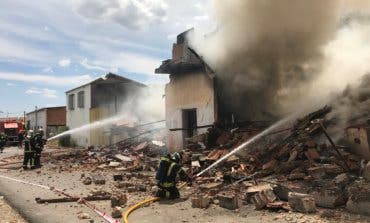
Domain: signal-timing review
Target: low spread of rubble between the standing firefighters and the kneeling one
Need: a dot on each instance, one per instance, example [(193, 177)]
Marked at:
[(127, 155)]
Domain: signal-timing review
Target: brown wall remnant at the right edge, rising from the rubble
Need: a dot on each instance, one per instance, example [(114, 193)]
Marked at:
[(359, 137)]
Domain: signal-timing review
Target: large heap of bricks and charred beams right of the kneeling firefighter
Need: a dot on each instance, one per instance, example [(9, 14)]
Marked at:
[(301, 172)]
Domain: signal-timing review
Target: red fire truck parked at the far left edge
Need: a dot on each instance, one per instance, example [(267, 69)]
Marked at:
[(11, 127)]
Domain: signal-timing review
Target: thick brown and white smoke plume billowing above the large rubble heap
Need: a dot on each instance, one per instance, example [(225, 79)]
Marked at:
[(282, 56)]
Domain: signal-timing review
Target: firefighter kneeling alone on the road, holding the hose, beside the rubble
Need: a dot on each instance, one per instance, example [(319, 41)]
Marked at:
[(169, 168)]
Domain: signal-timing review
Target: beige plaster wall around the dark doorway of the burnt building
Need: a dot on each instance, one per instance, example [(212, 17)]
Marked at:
[(187, 91)]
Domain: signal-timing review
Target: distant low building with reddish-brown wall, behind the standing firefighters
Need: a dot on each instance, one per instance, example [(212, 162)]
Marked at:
[(50, 119)]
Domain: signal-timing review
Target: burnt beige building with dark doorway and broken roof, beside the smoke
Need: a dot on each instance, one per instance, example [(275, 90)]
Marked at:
[(190, 95)]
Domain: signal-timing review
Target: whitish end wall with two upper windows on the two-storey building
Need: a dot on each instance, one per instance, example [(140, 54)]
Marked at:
[(80, 116)]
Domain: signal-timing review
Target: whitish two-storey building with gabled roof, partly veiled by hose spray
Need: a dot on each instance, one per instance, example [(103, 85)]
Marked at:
[(97, 100)]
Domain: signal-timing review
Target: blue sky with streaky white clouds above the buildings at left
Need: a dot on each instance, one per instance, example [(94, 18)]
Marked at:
[(49, 46)]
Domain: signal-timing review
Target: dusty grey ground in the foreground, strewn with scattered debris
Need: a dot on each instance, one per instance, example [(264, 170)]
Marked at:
[(22, 198)]
